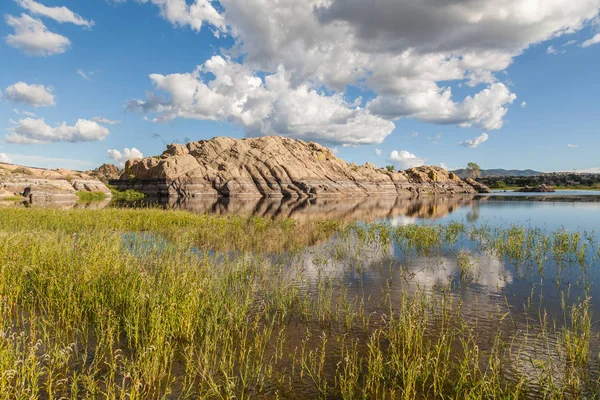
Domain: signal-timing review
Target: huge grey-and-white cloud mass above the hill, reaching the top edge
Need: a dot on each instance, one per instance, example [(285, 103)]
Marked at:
[(404, 51)]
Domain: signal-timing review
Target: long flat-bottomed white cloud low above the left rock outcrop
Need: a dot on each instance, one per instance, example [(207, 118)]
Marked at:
[(36, 131)]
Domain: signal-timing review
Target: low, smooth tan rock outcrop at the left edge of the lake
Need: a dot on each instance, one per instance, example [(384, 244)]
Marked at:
[(45, 185)]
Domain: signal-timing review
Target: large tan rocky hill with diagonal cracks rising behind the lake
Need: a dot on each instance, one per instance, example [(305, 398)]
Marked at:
[(274, 167)]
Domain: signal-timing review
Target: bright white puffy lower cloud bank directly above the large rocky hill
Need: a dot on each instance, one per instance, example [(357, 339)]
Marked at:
[(263, 107)]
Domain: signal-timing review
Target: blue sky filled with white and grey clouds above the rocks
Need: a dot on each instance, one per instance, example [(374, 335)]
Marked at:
[(509, 84)]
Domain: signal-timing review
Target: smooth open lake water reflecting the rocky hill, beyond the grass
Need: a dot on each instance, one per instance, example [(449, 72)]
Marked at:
[(571, 210)]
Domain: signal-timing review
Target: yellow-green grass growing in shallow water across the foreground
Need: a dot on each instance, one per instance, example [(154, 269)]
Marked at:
[(162, 304)]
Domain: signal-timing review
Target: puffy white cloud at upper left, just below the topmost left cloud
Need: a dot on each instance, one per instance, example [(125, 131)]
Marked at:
[(32, 37)]
